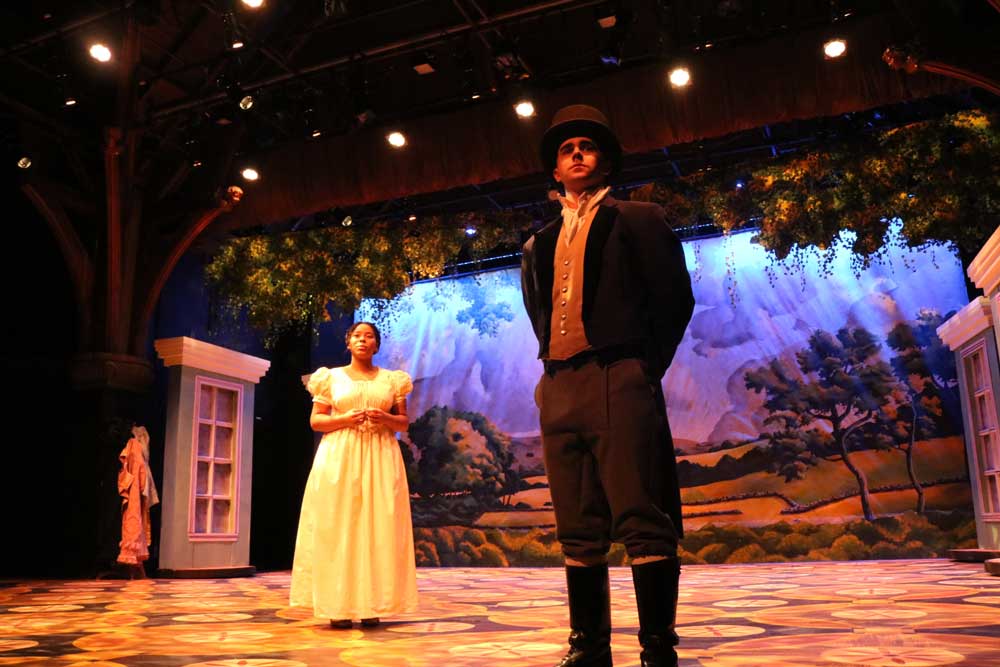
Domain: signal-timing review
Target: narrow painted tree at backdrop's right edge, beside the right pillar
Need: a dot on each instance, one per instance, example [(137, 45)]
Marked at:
[(928, 404)]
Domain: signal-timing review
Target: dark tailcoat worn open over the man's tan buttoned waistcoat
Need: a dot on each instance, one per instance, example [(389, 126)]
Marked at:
[(636, 288)]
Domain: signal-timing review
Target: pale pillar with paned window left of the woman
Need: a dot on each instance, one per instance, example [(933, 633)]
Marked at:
[(208, 458)]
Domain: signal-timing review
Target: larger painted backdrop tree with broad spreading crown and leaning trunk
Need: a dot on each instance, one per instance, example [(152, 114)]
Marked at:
[(841, 386)]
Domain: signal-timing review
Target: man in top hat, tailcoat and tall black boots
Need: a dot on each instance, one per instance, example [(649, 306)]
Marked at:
[(609, 297)]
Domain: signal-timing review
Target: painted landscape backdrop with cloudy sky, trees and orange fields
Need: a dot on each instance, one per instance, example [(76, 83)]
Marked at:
[(815, 412)]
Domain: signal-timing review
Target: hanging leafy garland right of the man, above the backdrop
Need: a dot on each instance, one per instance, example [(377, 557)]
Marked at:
[(942, 178)]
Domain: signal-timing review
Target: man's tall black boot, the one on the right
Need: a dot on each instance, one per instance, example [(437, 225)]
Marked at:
[(656, 599)]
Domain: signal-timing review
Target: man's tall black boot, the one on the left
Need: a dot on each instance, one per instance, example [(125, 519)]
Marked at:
[(589, 617)]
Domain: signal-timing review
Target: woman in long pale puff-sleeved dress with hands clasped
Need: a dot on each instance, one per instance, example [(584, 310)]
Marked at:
[(354, 550)]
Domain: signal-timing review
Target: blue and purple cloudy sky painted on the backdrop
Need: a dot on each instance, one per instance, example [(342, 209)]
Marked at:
[(468, 344)]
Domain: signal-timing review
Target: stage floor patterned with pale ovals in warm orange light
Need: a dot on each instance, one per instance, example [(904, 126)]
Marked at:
[(917, 613)]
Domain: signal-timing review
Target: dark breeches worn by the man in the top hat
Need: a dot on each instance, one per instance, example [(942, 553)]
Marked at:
[(606, 439)]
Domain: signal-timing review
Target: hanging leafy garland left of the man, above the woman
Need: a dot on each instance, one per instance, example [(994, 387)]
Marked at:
[(287, 280)]
